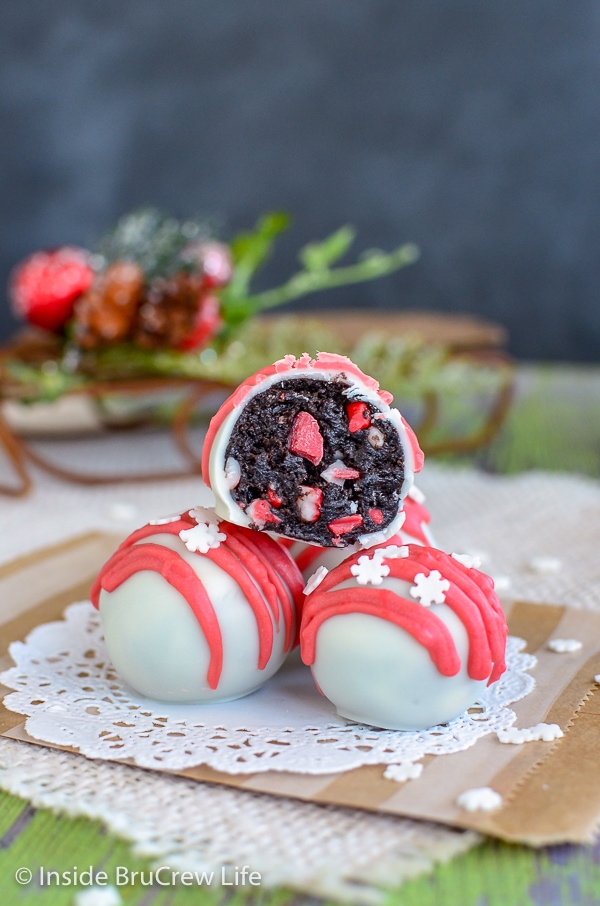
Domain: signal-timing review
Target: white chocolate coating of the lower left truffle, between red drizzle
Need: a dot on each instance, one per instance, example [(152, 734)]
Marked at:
[(157, 645)]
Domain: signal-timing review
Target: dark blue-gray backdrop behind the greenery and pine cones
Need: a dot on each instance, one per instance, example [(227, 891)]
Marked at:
[(469, 127)]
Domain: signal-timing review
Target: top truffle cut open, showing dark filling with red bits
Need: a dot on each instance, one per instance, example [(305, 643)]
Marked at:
[(310, 449)]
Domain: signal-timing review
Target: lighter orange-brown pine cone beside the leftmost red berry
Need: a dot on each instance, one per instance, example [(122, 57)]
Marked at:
[(105, 314)]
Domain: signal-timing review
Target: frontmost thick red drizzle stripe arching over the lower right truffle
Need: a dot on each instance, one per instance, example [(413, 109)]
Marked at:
[(423, 625)]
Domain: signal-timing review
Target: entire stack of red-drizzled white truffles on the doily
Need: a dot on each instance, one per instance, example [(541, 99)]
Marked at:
[(205, 606)]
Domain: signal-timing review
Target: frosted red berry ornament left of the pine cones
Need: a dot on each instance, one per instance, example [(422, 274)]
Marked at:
[(44, 288)]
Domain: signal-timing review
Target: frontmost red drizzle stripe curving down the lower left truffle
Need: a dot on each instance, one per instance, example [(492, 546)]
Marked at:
[(180, 575)]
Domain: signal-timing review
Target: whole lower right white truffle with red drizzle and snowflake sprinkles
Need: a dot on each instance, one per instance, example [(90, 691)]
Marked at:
[(403, 638)]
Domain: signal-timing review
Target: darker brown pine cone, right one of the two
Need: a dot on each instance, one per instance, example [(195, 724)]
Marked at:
[(168, 312)]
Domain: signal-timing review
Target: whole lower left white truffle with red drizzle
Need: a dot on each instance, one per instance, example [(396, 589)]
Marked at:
[(195, 609)]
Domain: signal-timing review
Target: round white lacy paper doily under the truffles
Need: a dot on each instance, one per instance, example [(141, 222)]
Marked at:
[(72, 696)]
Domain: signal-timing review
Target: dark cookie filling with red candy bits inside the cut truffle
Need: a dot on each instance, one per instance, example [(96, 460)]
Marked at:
[(283, 441)]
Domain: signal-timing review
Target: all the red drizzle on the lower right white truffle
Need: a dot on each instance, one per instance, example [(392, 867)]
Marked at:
[(470, 596)]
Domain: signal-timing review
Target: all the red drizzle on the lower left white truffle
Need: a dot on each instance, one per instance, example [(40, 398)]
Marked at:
[(264, 571)]
